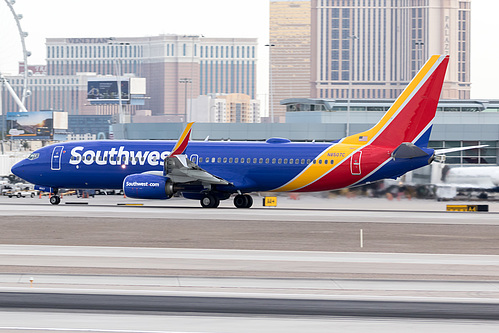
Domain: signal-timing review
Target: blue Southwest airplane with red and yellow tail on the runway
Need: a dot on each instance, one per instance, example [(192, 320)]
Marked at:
[(213, 171)]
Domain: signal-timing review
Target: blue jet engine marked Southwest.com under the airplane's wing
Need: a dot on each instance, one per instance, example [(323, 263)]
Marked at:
[(148, 186)]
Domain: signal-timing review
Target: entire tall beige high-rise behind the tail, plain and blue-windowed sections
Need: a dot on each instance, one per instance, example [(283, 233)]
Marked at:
[(364, 48)]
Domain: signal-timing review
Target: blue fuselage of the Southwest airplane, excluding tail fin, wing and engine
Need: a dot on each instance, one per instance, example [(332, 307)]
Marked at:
[(247, 166)]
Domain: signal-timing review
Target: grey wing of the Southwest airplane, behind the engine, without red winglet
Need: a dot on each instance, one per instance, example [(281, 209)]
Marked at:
[(181, 170)]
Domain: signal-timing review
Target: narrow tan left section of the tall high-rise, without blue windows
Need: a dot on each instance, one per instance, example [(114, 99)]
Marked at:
[(289, 53)]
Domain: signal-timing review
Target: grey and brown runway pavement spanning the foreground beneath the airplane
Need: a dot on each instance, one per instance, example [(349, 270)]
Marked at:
[(305, 261)]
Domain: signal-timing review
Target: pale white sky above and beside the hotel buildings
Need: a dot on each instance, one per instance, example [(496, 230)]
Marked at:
[(211, 18)]
